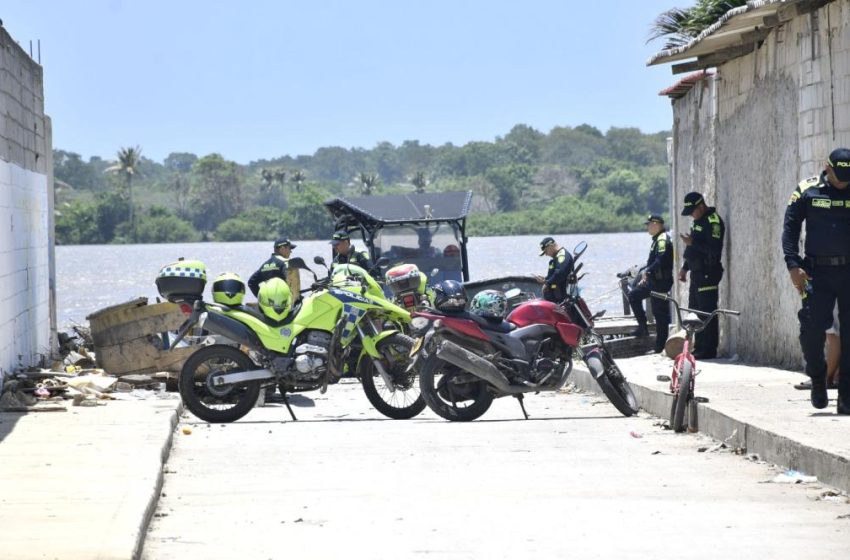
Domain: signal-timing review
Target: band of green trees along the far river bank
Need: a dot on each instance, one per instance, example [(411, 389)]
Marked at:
[(527, 182)]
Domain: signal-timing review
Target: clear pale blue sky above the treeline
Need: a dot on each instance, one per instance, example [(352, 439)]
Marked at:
[(261, 79)]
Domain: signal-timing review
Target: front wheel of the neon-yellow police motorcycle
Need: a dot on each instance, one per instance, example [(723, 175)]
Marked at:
[(400, 400)]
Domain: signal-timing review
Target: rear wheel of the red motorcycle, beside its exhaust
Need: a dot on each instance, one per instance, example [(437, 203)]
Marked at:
[(452, 409)]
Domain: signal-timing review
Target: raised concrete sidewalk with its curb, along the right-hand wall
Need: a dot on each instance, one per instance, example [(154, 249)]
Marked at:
[(756, 408)]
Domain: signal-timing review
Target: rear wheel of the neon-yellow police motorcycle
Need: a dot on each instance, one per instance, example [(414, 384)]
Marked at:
[(206, 400)]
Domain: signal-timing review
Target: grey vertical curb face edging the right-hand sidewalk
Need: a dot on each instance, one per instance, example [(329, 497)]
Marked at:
[(770, 446)]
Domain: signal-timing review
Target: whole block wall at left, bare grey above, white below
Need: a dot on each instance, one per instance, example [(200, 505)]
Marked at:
[(26, 211)]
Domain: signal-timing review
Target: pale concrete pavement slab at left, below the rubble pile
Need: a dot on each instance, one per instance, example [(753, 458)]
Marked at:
[(80, 484)]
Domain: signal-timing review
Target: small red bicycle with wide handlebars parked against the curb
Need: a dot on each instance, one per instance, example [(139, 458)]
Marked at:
[(684, 365)]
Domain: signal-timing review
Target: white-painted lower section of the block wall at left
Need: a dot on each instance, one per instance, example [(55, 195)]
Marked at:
[(24, 267)]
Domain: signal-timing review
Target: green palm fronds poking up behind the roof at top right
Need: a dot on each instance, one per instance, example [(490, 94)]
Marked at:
[(681, 25)]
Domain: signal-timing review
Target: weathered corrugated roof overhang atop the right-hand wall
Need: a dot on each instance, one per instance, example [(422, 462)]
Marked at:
[(737, 32)]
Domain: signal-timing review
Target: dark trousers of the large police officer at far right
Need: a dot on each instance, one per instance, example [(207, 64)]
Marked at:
[(828, 285)]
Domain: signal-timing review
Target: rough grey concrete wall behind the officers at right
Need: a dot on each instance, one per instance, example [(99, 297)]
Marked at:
[(778, 113)]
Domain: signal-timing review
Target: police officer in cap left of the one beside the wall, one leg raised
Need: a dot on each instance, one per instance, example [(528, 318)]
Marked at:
[(657, 276)]
